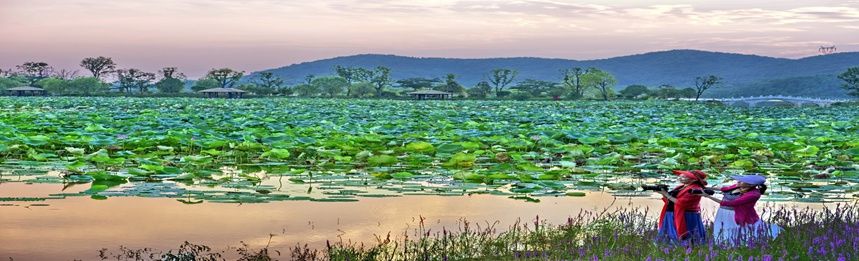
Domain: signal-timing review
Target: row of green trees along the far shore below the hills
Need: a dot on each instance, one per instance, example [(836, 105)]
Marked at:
[(353, 82)]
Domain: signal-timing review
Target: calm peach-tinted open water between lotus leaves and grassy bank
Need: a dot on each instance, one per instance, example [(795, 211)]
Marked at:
[(76, 227)]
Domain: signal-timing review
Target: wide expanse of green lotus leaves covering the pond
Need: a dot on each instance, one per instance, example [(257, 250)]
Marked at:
[(263, 150)]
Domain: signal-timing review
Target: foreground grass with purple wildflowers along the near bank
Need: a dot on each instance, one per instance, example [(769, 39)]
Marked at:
[(626, 234)]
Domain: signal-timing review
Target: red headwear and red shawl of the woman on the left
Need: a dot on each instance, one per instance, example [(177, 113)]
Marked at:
[(686, 201)]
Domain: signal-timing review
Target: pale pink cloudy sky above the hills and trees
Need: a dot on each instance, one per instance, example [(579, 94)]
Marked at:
[(197, 35)]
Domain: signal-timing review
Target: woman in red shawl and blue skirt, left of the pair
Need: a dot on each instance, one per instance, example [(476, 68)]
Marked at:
[(681, 215)]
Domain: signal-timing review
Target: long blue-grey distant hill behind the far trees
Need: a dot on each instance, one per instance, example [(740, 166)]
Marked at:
[(743, 74)]
